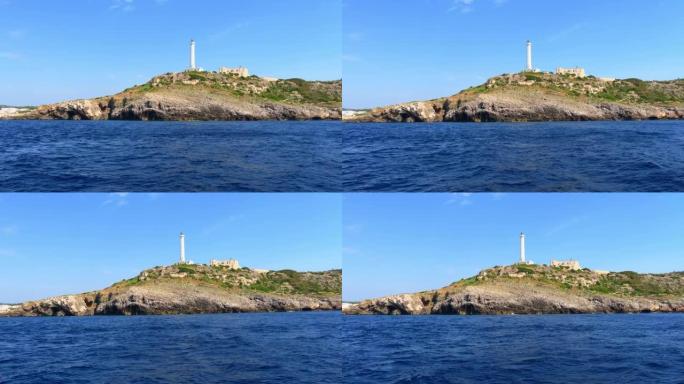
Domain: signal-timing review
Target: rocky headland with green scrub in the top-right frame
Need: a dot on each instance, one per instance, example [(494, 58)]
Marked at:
[(543, 97)]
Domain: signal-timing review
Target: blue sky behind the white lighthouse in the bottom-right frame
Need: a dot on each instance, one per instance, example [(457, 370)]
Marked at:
[(399, 243)]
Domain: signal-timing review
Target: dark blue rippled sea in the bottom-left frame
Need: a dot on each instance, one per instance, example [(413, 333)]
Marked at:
[(230, 348)]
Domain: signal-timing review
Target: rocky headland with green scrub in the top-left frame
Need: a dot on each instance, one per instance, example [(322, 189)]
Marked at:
[(204, 96)]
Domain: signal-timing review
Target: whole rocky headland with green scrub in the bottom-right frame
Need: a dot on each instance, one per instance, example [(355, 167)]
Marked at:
[(538, 289)]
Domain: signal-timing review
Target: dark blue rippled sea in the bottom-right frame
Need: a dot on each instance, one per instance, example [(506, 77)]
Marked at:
[(645, 348)]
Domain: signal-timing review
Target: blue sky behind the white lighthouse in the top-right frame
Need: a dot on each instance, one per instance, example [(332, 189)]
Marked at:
[(397, 51)]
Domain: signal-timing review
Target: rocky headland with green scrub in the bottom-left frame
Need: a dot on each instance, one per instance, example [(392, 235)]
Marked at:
[(188, 289)]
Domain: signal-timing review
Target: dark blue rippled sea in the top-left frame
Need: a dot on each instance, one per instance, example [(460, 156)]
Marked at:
[(130, 156)]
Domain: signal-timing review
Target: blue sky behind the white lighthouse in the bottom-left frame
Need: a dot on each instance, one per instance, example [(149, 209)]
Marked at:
[(53, 244)]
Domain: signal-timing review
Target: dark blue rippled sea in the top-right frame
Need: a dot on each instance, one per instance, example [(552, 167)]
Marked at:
[(562, 156)]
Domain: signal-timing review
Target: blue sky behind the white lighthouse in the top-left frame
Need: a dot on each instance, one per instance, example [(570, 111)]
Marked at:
[(56, 50)]
